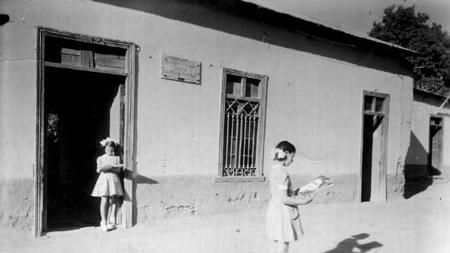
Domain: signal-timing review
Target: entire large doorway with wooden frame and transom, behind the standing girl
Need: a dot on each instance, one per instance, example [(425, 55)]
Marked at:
[(86, 91)]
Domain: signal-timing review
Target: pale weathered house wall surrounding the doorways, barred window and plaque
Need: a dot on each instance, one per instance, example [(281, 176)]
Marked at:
[(314, 100)]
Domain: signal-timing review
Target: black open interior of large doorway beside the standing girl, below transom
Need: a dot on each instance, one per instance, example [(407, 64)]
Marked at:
[(82, 108)]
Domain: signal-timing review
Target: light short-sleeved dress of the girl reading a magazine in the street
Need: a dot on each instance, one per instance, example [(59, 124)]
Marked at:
[(282, 221)]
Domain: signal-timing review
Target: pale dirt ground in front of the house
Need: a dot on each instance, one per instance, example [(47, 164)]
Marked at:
[(419, 224)]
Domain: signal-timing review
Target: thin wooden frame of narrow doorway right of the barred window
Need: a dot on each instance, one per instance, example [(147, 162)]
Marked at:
[(384, 132)]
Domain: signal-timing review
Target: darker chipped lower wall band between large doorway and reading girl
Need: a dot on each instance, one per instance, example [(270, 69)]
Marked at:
[(166, 197)]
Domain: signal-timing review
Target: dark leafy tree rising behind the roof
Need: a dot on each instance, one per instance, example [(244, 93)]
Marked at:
[(404, 27)]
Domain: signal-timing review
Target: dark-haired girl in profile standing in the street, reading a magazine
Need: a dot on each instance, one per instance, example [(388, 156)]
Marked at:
[(283, 219)]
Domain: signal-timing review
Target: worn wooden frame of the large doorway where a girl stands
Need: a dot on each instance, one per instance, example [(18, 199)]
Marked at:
[(129, 127)]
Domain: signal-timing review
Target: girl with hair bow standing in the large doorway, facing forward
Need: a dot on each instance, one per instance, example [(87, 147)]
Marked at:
[(108, 185)]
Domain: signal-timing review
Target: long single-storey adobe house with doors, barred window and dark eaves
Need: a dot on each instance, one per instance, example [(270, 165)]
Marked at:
[(197, 93)]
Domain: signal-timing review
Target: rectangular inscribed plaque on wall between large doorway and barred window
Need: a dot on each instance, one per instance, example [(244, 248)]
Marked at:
[(178, 69)]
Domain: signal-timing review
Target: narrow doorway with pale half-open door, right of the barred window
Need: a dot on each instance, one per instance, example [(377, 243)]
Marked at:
[(373, 171)]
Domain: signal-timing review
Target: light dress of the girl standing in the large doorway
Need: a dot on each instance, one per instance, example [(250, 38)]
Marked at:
[(108, 183)]
